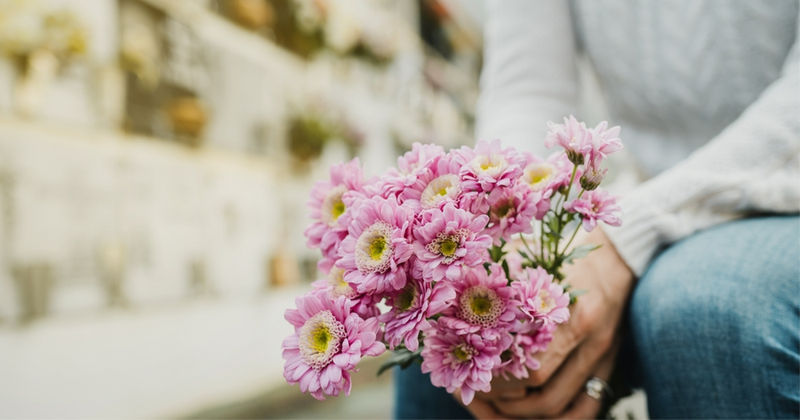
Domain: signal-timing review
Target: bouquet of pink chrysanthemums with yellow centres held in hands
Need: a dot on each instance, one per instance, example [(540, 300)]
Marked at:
[(452, 258)]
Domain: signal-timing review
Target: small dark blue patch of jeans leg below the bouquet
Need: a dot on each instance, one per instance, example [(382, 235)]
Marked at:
[(416, 398)]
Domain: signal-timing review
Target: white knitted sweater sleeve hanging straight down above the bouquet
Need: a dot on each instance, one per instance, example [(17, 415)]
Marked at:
[(529, 75)]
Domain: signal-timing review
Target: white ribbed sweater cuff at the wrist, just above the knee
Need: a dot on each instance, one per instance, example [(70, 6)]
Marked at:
[(638, 239)]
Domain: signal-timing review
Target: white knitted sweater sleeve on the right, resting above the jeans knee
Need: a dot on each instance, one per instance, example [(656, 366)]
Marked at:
[(751, 166)]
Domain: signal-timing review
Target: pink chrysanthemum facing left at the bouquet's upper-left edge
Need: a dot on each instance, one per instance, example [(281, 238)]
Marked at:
[(329, 207)]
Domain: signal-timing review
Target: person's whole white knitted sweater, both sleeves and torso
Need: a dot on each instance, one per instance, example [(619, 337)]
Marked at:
[(707, 93)]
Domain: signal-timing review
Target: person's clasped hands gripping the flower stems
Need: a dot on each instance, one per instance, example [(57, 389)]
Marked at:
[(584, 347)]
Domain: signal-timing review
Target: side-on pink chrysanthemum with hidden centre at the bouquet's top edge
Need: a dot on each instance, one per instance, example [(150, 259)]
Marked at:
[(419, 161)]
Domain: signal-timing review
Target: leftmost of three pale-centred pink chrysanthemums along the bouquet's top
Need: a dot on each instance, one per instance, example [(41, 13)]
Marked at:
[(436, 187)]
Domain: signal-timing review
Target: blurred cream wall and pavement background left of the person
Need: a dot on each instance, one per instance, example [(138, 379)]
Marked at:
[(155, 160)]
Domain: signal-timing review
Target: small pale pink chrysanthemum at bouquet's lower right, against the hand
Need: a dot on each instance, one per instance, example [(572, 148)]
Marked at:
[(539, 299)]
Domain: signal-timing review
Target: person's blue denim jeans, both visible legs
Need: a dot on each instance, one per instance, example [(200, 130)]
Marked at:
[(714, 326)]
